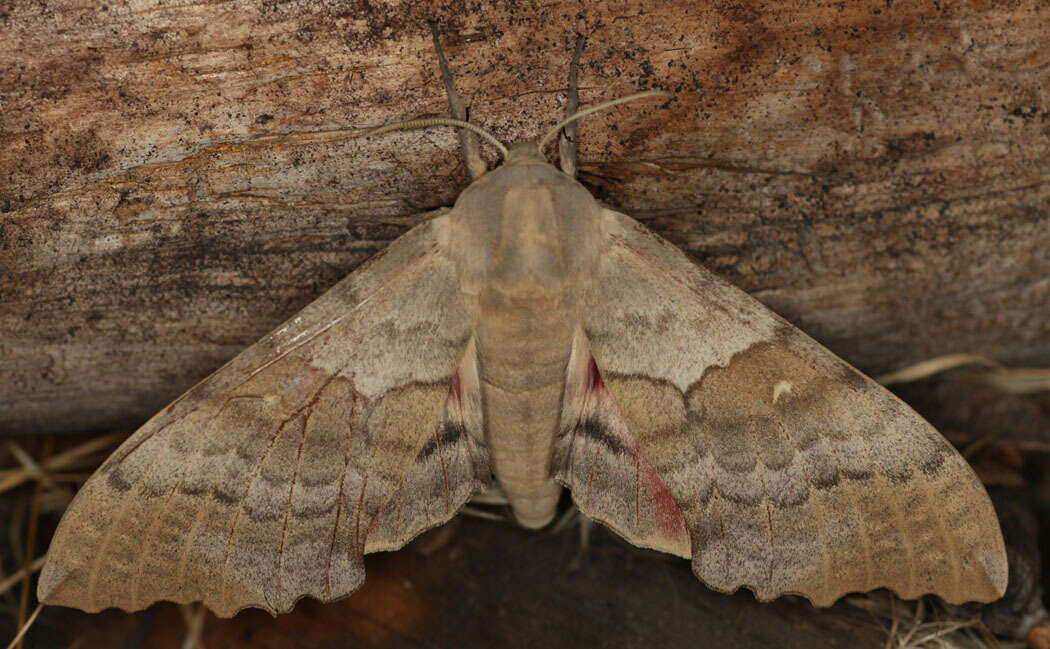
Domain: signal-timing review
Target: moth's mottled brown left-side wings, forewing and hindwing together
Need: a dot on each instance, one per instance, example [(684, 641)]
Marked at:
[(351, 429)]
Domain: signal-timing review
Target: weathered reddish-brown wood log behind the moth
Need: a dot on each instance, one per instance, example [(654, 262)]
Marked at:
[(176, 180)]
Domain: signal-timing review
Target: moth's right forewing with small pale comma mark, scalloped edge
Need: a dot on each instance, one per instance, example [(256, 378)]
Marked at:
[(793, 471)]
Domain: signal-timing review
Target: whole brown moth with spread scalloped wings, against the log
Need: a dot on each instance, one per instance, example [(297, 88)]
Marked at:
[(533, 338)]
